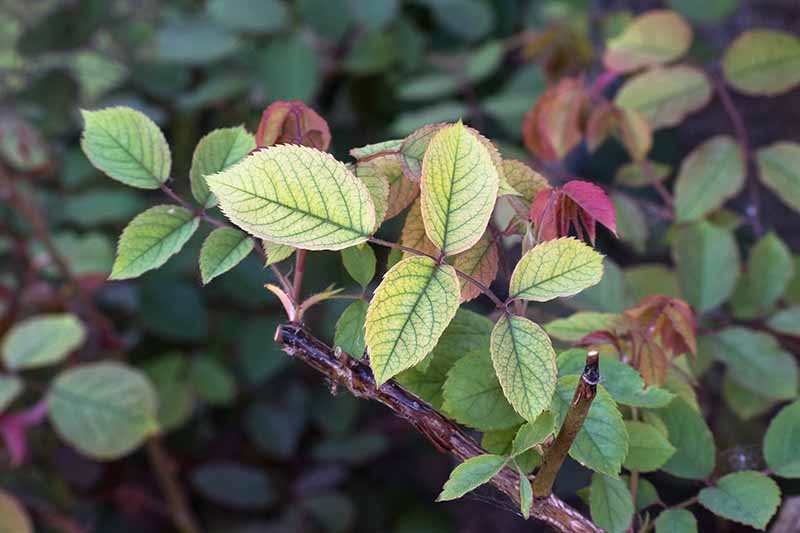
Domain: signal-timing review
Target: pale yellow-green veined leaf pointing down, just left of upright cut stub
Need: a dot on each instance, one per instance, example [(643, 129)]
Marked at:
[(525, 364)]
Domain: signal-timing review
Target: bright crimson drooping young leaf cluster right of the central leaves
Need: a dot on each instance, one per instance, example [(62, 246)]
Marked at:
[(577, 204)]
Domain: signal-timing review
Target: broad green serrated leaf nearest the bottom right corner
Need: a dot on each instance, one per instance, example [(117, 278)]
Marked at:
[(748, 497)]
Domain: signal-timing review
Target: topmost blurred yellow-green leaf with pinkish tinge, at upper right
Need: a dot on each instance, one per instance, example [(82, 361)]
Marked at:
[(653, 38)]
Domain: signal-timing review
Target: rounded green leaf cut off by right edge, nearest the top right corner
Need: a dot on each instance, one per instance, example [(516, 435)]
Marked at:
[(763, 62)]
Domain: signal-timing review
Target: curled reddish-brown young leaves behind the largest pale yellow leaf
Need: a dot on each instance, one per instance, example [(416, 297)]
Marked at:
[(292, 123)]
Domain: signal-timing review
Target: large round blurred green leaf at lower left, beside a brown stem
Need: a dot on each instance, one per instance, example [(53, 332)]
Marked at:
[(106, 410)]
